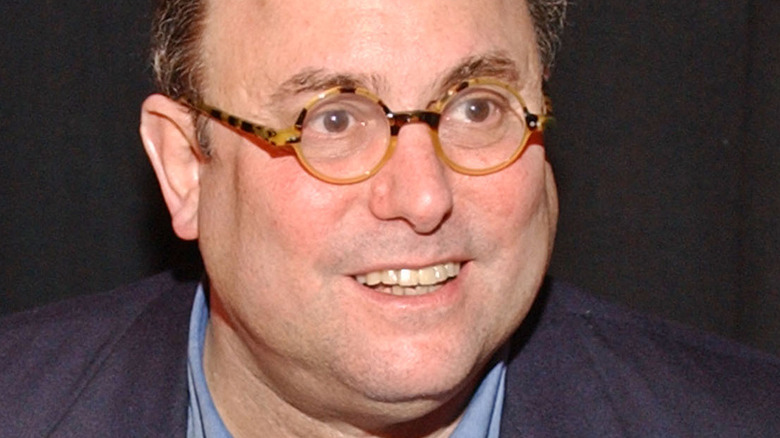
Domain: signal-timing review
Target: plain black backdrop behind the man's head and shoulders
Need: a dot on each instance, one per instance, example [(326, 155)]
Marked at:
[(667, 154)]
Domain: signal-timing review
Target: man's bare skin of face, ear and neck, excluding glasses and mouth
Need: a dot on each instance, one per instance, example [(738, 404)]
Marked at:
[(295, 346)]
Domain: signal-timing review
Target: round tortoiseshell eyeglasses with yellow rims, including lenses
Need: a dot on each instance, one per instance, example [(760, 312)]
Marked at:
[(345, 135)]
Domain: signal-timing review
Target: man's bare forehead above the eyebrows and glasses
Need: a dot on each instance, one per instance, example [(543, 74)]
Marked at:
[(252, 48)]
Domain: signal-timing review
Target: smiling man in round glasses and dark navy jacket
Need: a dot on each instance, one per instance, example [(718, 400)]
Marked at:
[(369, 190)]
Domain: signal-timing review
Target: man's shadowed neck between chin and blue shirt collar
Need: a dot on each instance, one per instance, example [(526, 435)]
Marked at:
[(250, 404)]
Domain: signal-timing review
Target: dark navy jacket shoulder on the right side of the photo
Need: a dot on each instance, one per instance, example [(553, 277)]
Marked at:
[(586, 364)]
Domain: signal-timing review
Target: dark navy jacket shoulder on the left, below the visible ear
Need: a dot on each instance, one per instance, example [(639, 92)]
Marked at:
[(83, 362)]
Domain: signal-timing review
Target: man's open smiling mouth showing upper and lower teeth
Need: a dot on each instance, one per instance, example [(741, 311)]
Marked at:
[(410, 281)]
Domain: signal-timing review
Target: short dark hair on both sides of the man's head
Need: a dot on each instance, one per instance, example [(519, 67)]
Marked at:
[(178, 25)]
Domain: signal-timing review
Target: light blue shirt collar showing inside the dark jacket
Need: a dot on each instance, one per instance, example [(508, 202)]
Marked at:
[(481, 419)]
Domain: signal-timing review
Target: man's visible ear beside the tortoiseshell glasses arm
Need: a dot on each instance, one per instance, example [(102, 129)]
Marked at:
[(168, 135)]
